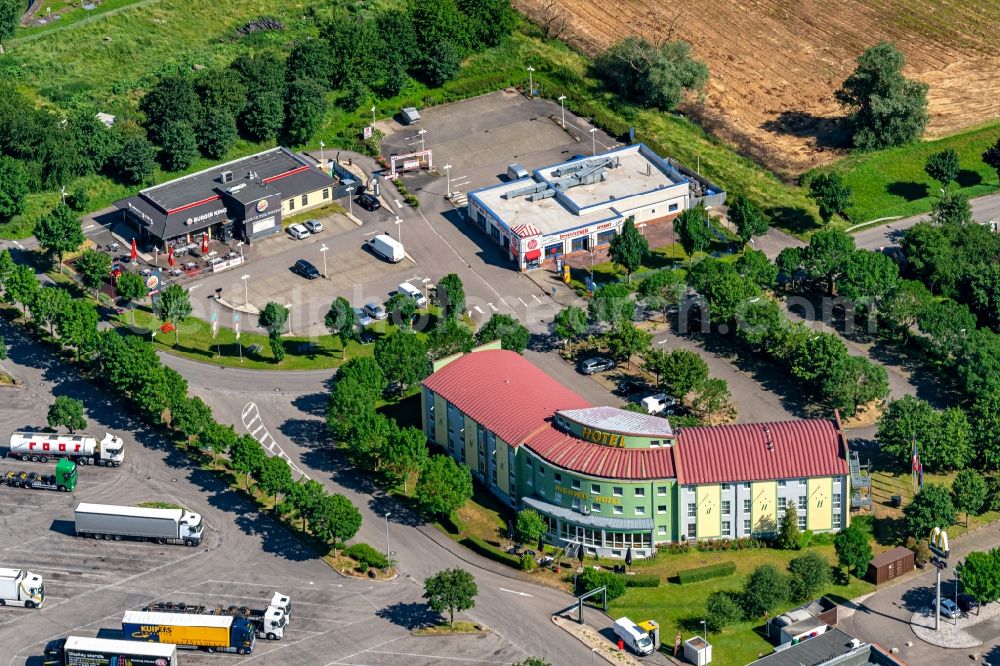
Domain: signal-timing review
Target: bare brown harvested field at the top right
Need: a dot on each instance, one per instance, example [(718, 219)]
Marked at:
[(775, 64)]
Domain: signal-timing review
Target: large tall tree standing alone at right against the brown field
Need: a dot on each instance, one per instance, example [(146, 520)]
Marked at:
[(885, 108)]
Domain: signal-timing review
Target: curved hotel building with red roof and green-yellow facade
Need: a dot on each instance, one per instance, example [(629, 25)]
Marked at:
[(609, 479)]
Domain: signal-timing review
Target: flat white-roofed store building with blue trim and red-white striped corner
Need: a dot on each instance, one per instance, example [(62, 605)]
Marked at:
[(580, 205)]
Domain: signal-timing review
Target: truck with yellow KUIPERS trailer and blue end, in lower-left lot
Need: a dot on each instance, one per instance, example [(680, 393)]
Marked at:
[(212, 633)]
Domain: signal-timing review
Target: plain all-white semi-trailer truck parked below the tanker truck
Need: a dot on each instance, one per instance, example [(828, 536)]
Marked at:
[(108, 521)]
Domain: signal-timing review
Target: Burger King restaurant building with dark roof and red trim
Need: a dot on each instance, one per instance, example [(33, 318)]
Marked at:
[(244, 199)]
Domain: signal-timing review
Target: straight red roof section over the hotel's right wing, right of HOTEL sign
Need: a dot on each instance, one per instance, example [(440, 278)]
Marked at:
[(760, 451)]
